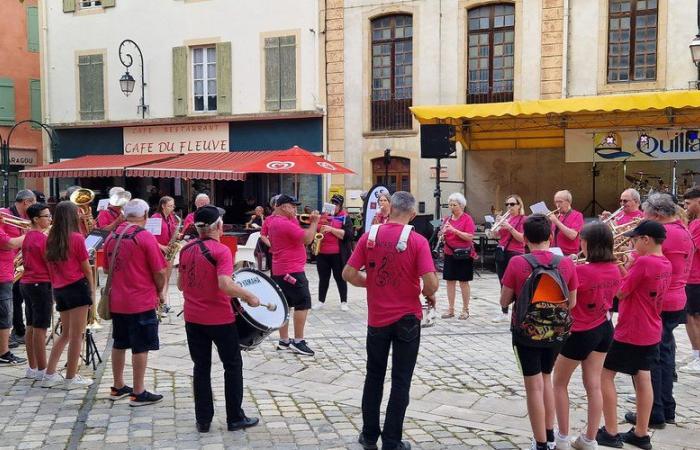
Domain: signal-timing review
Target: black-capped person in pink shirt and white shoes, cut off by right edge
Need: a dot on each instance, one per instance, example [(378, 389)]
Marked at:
[(691, 198)]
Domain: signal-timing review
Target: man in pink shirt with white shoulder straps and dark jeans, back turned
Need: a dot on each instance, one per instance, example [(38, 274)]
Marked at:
[(395, 261)]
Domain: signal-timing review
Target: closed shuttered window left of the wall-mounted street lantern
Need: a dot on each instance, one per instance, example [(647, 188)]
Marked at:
[(91, 75)]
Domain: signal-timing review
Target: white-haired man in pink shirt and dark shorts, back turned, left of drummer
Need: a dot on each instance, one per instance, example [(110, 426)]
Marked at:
[(138, 278)]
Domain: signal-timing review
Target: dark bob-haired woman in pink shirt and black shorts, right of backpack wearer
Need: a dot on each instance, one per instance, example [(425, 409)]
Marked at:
[(591, 332)]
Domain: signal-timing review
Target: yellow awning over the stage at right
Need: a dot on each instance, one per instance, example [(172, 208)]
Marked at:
[(532, 124)]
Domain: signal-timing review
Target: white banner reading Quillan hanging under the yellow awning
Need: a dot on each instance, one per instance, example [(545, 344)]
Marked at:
[(652, 145)]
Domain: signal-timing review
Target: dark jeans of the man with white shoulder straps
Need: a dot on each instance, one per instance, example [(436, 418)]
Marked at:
[(404, 337)]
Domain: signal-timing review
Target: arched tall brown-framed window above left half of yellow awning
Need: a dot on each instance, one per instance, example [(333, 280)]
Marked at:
[(490, 57)]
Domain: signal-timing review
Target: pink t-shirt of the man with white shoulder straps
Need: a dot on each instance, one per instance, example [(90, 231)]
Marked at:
[(393, 277)]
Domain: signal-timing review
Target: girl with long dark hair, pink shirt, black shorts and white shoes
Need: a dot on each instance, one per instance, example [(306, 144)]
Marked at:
[(72, 281)]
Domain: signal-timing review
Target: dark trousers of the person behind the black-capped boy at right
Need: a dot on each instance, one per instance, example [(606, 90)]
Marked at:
[(662, 374)]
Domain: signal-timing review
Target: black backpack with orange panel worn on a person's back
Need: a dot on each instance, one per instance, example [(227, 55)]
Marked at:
[(541, 316)]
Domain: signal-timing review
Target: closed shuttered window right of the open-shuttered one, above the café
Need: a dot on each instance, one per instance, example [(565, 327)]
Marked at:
[(280, 73)]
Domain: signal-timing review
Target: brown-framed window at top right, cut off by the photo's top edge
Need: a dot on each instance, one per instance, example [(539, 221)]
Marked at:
[(632, 28)]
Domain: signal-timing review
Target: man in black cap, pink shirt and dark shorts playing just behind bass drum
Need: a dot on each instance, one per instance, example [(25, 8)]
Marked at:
[(288, 246)]
